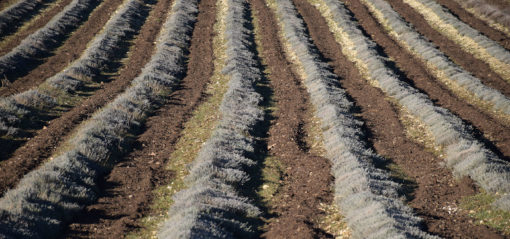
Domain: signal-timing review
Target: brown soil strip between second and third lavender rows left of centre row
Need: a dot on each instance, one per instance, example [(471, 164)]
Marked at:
[(68, 52)]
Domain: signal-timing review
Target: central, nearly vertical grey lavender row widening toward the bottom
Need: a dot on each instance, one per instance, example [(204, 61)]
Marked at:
[(213, 206)]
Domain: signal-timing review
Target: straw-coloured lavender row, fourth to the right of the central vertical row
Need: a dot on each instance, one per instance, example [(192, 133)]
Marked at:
[(469, 39)]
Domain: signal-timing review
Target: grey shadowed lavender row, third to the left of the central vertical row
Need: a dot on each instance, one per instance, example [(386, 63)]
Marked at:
[(43, 41)]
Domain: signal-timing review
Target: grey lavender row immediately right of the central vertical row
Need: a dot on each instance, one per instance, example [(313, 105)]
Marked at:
[(366, 195)]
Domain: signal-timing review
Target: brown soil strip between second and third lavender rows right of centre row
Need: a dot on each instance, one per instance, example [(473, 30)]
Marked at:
[(496, 134)]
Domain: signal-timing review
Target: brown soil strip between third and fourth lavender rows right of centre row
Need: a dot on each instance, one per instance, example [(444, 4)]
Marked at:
[(476, 67)]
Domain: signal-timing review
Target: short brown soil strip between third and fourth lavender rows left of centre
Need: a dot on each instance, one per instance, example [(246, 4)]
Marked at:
[(42, 20)]
